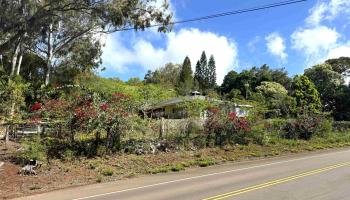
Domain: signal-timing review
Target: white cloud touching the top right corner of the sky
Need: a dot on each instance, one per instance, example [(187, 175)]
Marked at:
[(328, 11)]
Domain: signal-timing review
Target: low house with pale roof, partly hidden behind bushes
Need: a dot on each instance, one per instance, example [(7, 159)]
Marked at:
[(172, 109)]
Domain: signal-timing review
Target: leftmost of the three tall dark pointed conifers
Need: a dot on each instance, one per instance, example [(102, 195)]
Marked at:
[(185, 83)]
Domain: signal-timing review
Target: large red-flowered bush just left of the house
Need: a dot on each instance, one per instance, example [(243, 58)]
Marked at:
[(110, 115)]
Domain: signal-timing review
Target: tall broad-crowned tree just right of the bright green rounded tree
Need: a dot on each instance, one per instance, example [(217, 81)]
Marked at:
[(326, 82)]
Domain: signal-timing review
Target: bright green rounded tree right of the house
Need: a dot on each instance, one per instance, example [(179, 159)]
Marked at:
[(306, 93)]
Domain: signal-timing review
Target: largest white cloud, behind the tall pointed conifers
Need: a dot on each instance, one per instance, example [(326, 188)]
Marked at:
[(186, 42)]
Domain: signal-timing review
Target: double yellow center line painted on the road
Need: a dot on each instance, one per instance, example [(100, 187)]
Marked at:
[(278, 181)]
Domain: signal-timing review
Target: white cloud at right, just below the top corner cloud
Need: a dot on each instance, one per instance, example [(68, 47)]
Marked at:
[(315, 42)]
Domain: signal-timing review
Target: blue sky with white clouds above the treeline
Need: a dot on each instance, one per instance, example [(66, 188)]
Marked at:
[(293, 37)]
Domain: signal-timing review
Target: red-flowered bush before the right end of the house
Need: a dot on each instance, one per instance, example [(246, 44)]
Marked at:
[(227, 128)]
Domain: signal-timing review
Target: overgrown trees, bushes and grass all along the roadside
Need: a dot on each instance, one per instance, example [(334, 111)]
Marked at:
[(48, 79)]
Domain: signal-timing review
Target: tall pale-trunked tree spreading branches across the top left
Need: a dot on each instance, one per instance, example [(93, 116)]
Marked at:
[(51, 26)]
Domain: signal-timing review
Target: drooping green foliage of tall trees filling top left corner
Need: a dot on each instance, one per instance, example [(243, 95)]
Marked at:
[(65, 31)]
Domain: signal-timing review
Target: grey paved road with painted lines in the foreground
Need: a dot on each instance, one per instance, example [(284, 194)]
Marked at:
[(322, 175)]
